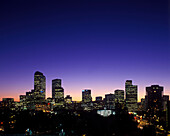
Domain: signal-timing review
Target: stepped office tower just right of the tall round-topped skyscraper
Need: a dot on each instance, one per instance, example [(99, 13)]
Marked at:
[(57, 92)]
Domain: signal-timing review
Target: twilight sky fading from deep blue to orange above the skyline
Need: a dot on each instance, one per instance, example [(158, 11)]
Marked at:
[(93, 44)]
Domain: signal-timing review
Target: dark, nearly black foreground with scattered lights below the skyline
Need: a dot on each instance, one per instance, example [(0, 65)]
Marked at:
[(71, 123)]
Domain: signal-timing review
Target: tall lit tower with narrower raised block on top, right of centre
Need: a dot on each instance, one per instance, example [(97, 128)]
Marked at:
[(131, 96)]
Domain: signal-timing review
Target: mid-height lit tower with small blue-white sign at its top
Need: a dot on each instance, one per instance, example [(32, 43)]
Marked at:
[(86, 96)]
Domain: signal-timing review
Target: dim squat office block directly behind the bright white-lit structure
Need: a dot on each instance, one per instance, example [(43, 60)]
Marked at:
[(110, 101)]
